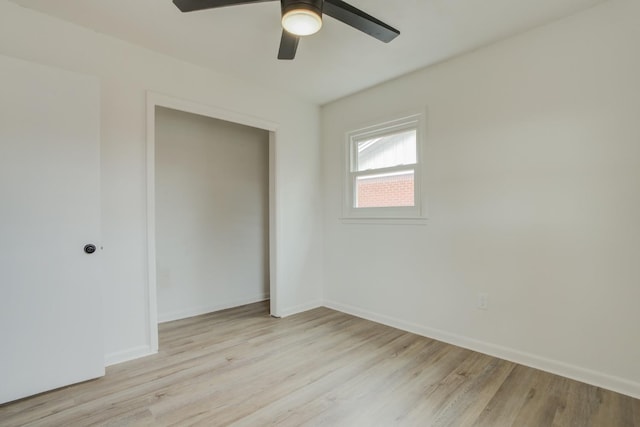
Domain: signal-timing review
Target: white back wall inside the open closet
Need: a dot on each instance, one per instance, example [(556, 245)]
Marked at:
[(212, 214)]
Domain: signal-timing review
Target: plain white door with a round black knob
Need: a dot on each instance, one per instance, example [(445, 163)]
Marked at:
[(50, 309)]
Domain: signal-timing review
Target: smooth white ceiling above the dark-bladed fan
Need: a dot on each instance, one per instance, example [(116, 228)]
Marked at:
[(243, 40)]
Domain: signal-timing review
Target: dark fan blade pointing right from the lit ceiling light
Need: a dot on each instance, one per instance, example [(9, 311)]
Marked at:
[(359, 20)]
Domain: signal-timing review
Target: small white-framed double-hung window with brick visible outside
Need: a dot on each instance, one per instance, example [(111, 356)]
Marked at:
[(383, 178)]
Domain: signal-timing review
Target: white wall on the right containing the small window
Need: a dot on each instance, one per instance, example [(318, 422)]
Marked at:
[(533, 165)]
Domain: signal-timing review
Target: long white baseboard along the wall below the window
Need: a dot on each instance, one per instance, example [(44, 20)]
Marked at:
[(599, 379)]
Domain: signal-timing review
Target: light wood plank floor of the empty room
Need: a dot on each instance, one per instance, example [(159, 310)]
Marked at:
[(320, 368)]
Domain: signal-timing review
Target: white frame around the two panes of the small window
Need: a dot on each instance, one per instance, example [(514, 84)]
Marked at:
[(396, 214)]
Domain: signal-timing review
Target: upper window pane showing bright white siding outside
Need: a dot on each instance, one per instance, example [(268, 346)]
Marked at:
[(386, 151)]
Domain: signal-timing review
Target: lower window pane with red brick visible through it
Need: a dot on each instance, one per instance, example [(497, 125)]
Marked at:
[(385, 190)]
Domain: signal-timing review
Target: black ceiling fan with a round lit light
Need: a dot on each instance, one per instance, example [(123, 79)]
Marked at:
[(304, 17)]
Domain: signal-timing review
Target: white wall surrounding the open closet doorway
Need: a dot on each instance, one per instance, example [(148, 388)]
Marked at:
[(126, 72)]
